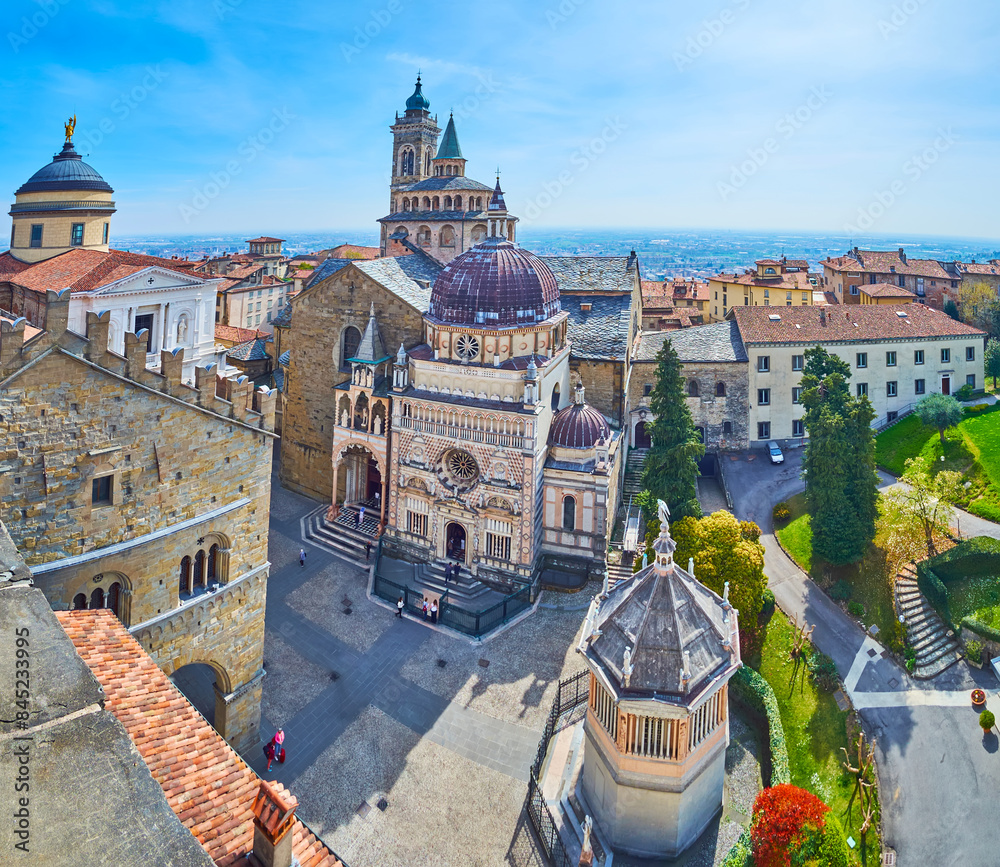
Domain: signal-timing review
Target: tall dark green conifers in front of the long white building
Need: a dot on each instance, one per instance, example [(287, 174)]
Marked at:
[(841, 484)]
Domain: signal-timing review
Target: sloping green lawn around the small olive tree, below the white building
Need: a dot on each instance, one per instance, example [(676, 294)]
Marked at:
[(972, 448)]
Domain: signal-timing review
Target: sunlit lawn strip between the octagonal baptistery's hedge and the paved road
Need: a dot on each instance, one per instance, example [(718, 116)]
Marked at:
[(815, 730)]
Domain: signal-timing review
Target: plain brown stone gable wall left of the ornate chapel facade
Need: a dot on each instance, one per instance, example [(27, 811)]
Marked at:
[(319, 316)]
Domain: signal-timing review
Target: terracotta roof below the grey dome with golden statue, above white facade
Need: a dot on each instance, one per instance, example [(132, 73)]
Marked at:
[(86, 270)]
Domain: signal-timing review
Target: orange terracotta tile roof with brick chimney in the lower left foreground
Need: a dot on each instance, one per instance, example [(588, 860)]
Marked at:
[(207, 784)]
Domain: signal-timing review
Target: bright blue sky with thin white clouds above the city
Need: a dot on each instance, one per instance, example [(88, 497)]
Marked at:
[(245, 115)]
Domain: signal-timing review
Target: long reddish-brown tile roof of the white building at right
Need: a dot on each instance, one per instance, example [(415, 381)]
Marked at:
[(850, 323)]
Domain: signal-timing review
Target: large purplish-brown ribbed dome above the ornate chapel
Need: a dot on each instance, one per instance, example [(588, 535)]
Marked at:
[(496, 284)]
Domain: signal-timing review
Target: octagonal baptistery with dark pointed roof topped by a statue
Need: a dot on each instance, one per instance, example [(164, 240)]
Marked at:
[(661, 650)]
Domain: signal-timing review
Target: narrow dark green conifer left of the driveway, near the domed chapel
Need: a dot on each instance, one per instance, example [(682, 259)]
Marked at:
[(670, 472)]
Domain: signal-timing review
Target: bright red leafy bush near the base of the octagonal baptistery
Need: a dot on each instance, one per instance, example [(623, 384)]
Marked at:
[(785, 817)]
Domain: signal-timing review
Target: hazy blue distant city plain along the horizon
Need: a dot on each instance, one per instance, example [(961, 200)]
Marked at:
[(662, 252)]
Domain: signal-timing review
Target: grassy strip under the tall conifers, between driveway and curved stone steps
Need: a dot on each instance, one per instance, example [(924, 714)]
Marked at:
[(867, 581)]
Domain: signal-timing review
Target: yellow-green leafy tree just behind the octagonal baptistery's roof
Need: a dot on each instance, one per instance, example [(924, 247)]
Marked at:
[(725, 549)]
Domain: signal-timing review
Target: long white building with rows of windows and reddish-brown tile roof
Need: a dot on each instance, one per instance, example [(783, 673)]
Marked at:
[(897, 355)]
